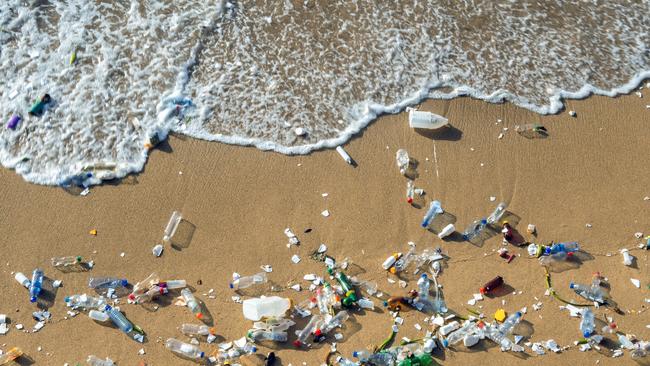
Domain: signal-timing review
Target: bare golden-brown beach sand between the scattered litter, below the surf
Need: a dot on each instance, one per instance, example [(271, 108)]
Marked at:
[(592, 169)]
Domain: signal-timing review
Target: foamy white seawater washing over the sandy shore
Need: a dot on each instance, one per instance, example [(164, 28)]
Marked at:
[(251, 72)]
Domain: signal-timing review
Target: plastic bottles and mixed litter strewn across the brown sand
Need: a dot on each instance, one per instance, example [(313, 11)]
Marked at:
[(333, 299)]
